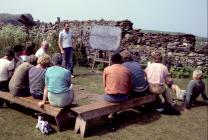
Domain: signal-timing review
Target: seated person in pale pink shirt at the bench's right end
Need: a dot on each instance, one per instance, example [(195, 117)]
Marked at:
[(157, 74)]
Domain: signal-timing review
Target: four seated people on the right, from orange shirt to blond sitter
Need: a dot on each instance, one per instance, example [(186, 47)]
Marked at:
[(126, 77)]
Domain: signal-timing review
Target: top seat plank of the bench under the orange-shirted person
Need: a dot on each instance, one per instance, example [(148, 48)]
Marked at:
[(102, 108)]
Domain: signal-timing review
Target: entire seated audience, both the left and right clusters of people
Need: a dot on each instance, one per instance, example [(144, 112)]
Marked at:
[(43, 77)]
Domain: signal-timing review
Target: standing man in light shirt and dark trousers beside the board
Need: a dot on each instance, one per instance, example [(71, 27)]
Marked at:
[(65, 43)]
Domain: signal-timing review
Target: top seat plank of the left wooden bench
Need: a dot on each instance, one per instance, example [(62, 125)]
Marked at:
[(32, 103)]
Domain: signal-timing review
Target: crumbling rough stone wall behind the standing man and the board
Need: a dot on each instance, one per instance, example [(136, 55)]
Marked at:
[(179, 48)]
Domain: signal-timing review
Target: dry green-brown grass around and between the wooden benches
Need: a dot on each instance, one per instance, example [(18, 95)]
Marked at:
[(19, 123)]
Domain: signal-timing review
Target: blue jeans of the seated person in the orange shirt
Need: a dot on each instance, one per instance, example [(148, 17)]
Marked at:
[(116, 98)]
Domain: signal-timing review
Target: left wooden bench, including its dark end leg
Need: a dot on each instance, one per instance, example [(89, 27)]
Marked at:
[(60, 114)]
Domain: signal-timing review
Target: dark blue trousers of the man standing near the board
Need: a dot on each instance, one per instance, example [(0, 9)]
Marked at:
[(68, 59)]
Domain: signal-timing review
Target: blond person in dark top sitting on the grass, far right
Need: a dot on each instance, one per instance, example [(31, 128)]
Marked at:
[(195, 87)]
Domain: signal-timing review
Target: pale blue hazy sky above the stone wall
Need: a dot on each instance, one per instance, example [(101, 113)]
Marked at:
[(188, 16)]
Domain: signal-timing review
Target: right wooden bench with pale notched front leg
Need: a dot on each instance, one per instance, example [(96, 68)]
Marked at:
[(102, 108)]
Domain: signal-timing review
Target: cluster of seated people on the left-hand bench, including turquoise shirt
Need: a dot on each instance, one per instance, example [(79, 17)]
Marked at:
[(36, 74)]
